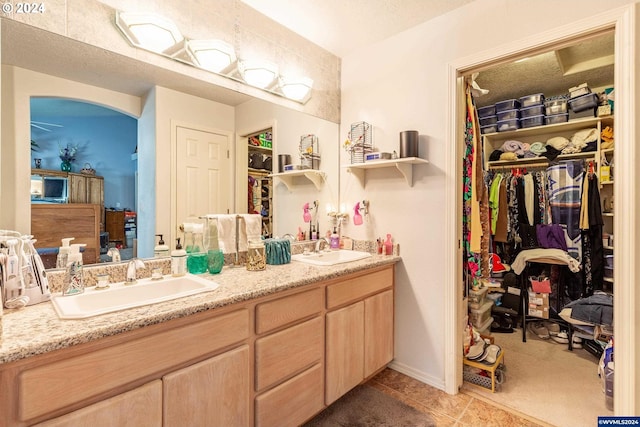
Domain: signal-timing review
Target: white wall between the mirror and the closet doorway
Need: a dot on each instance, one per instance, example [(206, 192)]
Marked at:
[(401, 84)]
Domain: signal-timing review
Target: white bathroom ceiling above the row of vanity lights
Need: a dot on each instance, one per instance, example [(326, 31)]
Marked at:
[(342, 26)]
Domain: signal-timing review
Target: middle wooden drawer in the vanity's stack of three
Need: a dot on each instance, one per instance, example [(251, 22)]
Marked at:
[(284, 353)]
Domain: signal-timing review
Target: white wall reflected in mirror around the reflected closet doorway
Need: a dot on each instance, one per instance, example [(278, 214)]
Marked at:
[(289, 126)]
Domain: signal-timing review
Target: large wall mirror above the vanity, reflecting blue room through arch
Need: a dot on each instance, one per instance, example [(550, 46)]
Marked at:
[(44, 73)]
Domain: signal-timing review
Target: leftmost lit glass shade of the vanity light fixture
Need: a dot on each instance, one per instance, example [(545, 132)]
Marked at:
[(149, 31)]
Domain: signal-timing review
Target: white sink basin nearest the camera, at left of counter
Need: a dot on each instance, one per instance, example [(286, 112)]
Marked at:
[(119, 296)]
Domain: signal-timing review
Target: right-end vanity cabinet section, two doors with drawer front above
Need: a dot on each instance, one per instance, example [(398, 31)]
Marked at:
[(359, 338)]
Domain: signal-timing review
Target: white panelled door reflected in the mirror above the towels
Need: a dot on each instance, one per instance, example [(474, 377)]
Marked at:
[(202, 173)]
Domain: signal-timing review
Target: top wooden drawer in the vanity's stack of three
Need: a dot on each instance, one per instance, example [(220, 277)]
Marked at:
[(275, 314)]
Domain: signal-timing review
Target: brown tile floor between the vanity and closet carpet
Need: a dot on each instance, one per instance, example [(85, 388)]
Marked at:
[(463, 409)]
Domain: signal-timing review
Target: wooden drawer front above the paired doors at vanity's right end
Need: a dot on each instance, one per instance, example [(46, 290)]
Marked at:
[(357, 288)]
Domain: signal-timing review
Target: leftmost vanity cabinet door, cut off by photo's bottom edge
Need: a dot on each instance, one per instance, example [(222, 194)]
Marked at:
[(141, 407)]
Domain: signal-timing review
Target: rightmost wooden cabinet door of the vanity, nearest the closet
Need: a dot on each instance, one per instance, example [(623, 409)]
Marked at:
[(378, 332)]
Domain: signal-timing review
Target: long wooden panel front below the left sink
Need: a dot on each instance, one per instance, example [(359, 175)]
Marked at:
[(101, 370)]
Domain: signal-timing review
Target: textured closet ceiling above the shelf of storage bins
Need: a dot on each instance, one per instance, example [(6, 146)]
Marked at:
[(550, 73)]
